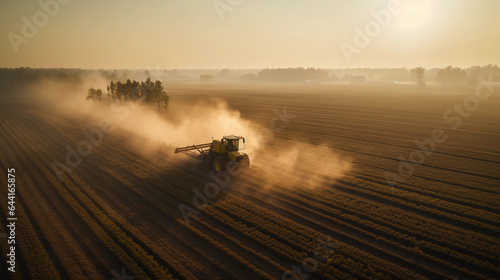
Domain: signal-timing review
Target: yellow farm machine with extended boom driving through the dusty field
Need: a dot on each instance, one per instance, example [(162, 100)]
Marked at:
[(218, 153)]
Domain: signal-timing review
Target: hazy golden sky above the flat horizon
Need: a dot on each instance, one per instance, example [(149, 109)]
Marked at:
[(251, 34)]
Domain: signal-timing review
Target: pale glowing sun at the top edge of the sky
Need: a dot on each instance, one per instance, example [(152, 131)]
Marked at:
[(415, 13)]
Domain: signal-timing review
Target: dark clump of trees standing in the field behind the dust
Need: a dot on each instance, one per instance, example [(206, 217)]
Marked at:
[(148, 92)]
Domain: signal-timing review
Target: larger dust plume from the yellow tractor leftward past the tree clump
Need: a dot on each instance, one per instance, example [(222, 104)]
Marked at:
[(183, 125)]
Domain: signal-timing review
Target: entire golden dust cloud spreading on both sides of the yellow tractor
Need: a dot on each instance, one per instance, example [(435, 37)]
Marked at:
[(296, 165)]
